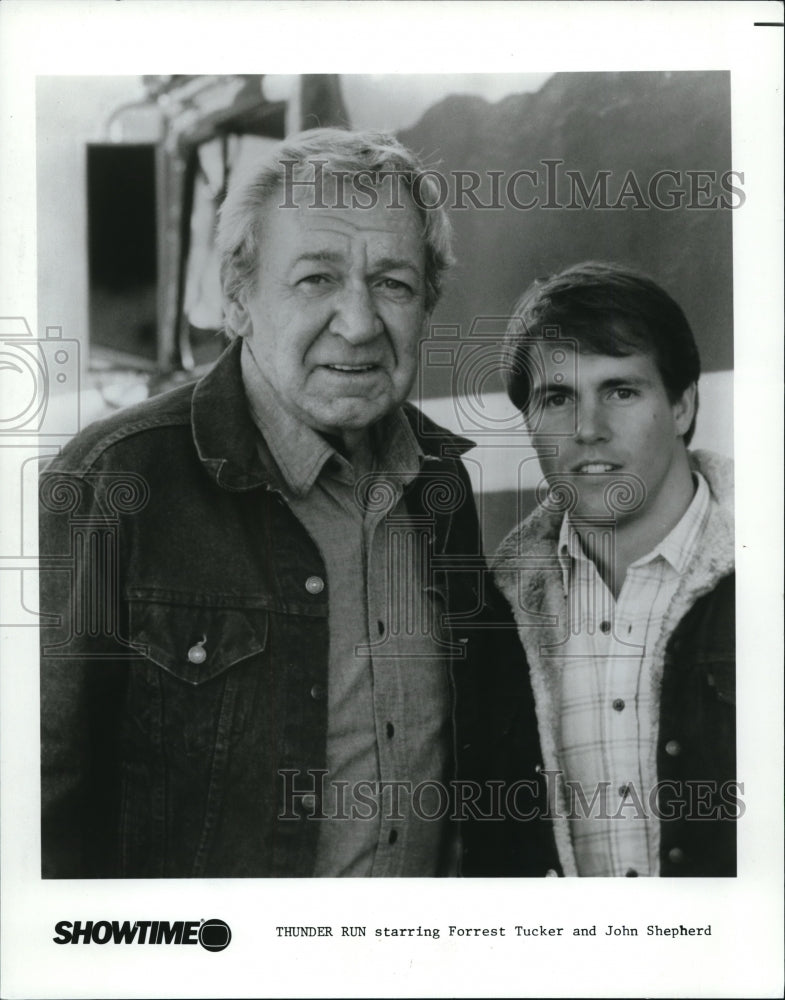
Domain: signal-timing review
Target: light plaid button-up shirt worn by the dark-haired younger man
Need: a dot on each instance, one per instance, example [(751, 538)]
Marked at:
[(609, 713)]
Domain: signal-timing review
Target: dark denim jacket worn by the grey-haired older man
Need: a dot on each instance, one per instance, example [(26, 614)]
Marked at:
[(184, 650)]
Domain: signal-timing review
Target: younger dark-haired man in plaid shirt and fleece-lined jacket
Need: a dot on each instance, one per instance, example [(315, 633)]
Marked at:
[(622, 581)]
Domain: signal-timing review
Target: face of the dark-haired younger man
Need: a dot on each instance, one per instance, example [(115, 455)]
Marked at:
[(606, 425)]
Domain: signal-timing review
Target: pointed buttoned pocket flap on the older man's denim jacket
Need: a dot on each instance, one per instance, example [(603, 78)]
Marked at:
[(193, 642)]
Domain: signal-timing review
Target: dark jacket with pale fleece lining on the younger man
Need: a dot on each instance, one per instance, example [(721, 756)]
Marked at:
[(693, 678)]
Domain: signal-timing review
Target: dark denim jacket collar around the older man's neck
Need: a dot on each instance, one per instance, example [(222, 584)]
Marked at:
[(228, 443)]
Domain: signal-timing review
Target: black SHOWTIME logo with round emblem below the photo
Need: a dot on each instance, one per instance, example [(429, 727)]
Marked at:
[(213, 935)]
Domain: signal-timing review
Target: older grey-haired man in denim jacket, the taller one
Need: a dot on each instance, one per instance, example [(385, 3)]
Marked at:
[(272, 590)]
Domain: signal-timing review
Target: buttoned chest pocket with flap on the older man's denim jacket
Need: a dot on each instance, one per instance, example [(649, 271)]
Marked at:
[(198, 683)]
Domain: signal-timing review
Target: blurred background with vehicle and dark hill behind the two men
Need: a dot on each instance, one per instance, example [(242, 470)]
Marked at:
[(132, 170)]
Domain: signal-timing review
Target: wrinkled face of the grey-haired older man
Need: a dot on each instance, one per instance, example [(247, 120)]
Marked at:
[(338, 311)]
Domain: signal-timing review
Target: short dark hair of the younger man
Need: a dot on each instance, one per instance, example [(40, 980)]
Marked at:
[(608, 309)]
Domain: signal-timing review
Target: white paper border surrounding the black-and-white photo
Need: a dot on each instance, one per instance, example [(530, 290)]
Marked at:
[(744, 956)]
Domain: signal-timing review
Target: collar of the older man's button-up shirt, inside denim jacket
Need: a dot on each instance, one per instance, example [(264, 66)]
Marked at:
[(301, 454)]
